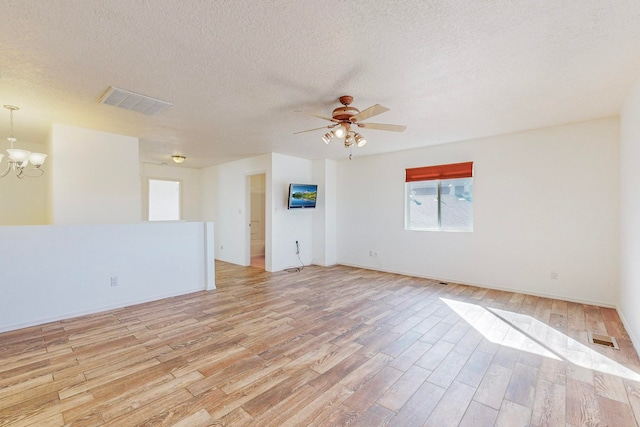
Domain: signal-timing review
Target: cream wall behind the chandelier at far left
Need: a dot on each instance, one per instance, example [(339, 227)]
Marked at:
[(23, 200)]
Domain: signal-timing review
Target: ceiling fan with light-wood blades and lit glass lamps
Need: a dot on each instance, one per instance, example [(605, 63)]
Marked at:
[(346, 118)]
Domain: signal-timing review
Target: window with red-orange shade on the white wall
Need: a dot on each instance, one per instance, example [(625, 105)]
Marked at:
[(439, 198)]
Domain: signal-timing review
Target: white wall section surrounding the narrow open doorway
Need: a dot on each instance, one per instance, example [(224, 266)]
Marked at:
[(224, 201)]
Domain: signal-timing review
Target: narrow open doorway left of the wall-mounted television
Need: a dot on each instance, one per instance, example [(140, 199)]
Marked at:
[(257, 219)]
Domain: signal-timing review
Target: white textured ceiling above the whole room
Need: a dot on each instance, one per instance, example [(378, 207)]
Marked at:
[(237, 71)]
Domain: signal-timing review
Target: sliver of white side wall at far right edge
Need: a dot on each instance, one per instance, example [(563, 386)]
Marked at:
[(629, 215)]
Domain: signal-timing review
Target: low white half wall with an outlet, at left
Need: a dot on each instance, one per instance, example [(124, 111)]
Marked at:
[(54, 272)]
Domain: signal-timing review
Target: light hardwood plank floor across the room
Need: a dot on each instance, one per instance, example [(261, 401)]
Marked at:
[(325, 346)]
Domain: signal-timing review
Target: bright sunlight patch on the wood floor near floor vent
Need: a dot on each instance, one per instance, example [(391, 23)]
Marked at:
[(523, 332)]
